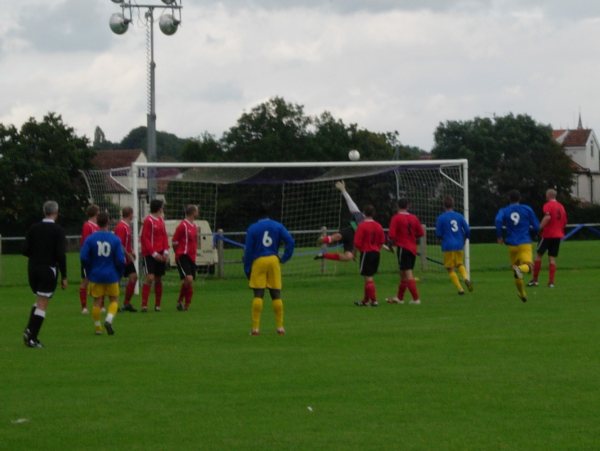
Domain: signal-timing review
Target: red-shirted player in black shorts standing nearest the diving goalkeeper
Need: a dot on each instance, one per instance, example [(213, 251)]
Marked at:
[(368, 239)]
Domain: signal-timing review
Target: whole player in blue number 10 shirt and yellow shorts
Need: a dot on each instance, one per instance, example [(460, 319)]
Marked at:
[(104, 260)]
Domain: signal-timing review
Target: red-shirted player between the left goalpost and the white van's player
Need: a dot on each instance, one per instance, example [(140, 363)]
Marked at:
[(155, 252)]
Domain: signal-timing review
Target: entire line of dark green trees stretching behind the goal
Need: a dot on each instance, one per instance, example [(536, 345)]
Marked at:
[(43, 159)]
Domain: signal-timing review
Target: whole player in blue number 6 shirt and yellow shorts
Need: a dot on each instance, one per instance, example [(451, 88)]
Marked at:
[(262, 265)]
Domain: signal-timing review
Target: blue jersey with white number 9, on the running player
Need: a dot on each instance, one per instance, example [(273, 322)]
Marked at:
[(519, 220)]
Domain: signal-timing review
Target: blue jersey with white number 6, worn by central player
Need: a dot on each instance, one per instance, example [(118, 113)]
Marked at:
[(263, 238)]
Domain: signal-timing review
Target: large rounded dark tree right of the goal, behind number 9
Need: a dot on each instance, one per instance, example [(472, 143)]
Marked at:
[(505, 153)]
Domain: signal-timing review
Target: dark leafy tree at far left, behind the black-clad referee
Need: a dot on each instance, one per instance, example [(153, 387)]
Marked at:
[(41, 162)]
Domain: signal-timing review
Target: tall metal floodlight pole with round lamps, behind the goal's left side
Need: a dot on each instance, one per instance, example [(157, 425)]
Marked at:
[(169, 23)]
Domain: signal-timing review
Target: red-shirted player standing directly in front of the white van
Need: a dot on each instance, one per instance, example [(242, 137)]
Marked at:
[(185, 245)]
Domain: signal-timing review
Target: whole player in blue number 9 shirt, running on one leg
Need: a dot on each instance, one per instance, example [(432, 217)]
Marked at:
[(518, 221)]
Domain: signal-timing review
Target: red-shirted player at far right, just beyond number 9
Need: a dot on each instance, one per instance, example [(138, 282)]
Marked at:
[(552, 230)]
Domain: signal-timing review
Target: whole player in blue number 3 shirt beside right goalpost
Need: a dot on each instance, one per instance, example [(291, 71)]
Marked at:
[(453, 229)]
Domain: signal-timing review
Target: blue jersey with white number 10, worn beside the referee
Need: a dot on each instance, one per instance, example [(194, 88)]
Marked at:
[(103, 257)]
